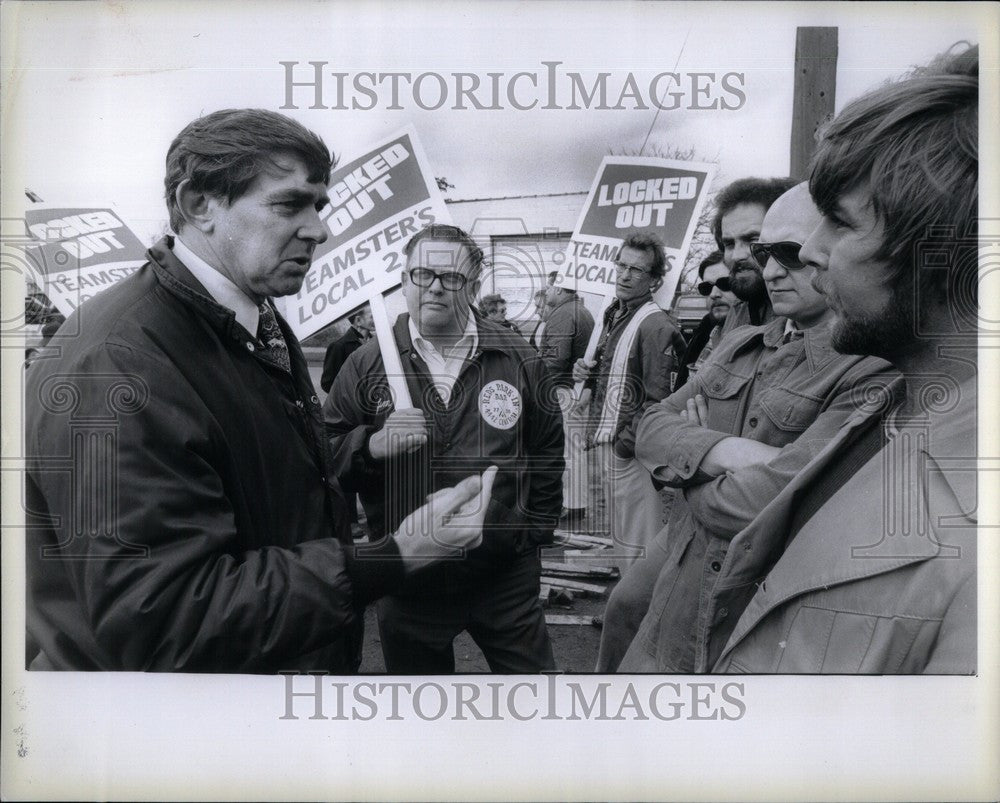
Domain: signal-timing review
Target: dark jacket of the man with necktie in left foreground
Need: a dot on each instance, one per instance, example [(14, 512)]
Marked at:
[(184, 517)]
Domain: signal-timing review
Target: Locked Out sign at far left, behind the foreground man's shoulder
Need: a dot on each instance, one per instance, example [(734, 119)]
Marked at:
[(79, 252)]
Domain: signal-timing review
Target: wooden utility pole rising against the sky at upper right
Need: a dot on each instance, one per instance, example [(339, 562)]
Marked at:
[(815, 92)]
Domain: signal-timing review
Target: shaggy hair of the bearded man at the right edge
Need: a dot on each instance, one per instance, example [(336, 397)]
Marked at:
[(914, 144)]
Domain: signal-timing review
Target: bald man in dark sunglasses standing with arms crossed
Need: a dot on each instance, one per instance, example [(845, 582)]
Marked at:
[(760, 408)]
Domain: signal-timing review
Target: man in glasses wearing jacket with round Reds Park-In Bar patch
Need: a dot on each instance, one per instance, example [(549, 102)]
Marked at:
[(477, 389)]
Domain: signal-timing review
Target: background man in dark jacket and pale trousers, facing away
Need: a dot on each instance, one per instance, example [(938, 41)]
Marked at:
[(568, 326)]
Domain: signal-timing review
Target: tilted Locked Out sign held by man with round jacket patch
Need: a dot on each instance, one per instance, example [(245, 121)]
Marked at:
[(378, 201)]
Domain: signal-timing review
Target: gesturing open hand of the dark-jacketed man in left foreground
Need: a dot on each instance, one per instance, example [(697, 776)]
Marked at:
[(452, 519)]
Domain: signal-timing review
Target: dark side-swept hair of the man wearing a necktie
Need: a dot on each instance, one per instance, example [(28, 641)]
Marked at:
[(224, 152)]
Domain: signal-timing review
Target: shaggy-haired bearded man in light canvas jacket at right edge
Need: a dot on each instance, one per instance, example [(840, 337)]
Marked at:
[(866, 561)]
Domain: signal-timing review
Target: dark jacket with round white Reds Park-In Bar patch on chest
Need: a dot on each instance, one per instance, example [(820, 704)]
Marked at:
[(496, 415)]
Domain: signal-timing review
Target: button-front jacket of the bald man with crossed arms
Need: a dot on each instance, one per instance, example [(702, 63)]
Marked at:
[(795, 395)]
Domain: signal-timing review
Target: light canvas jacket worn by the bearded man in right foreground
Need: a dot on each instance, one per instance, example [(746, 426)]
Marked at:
[(880, 579)]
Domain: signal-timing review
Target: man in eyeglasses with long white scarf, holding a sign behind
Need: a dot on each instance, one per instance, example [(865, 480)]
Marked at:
[(635, 357)]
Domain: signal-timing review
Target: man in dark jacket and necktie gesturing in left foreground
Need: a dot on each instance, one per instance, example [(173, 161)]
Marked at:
[(183, 516)]
